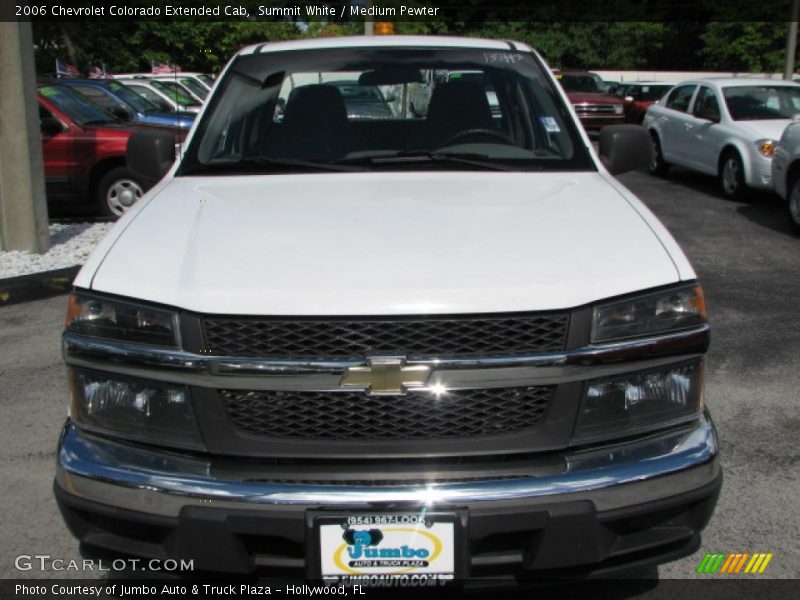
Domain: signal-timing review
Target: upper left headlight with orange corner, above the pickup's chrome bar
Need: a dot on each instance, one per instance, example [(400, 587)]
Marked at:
[(94, 316)]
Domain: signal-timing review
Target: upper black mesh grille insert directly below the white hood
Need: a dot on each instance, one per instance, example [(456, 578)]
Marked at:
[(416, 337)]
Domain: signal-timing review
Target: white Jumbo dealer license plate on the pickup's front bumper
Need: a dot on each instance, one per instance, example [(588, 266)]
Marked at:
[(388, 545)]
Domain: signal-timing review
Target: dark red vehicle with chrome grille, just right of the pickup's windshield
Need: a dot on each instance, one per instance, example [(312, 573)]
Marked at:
[(595, 108)]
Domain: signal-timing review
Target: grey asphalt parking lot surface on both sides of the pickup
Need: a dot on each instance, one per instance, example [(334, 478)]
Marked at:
[(749, 264)]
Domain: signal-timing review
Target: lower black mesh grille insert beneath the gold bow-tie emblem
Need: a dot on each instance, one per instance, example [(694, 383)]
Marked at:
[(358, 416)]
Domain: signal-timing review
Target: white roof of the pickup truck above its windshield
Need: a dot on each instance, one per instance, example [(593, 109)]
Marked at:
[(385, 41)]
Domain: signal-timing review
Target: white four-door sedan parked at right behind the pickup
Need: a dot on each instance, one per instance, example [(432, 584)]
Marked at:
[(727, 128)]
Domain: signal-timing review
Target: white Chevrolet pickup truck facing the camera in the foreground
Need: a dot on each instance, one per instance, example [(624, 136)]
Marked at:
[(404, 350)]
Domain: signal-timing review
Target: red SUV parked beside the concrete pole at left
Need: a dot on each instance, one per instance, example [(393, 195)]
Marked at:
[(84, 153)]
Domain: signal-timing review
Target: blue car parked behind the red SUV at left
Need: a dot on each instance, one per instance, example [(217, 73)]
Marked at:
[(126, 104)]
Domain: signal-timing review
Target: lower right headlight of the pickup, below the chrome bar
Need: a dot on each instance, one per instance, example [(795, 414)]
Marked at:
[(640, 401)]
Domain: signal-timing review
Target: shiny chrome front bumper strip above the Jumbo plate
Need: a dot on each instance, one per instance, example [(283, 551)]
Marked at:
[(161, 482)]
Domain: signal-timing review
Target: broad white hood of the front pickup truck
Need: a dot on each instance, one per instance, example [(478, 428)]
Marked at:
[(383, 244)]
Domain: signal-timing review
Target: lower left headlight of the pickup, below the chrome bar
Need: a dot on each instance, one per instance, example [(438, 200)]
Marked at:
[(146, 411)]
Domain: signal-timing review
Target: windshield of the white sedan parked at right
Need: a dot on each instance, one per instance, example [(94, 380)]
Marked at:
[(758, 102)]
